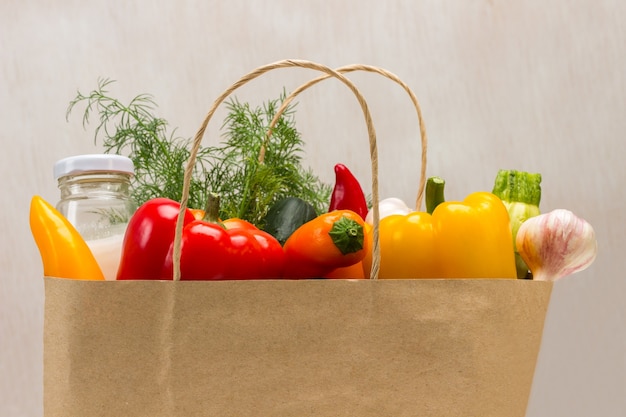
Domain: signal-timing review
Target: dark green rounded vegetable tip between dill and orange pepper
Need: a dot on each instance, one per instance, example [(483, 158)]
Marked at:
[(286, 215)]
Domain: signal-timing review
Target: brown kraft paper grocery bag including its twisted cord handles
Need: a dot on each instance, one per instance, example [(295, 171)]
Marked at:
[(321, 348)]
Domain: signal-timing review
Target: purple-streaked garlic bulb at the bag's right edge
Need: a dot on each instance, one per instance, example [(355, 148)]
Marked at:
[(556, 244)]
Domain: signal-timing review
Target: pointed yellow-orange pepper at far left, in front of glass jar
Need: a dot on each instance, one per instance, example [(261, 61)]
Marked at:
[(64, 252)]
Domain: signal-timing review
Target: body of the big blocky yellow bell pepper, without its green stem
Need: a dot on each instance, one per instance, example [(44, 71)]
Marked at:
[(468, 239)]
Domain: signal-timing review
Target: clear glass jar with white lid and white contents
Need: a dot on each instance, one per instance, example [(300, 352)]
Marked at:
[(95, 198)]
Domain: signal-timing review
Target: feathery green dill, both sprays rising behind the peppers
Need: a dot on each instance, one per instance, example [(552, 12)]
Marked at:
[(247, 186)]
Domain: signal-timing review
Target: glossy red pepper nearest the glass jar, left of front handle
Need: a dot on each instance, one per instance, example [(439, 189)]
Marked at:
[(148, 239)]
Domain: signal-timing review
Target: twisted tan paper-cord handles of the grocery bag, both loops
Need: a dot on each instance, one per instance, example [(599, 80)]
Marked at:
[(370, 130)]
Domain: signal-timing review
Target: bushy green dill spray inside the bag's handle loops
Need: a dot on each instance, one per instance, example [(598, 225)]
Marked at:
[(279, 175)]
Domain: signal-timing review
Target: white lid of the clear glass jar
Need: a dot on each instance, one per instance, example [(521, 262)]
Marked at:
[(79, 164)]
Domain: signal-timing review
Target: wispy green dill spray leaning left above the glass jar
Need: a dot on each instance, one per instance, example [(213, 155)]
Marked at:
[(134, 130)]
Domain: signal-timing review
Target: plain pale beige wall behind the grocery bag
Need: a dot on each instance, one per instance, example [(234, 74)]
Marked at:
[(530, 85)]
